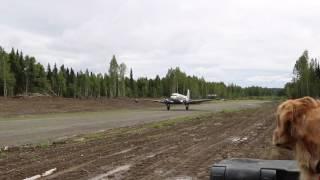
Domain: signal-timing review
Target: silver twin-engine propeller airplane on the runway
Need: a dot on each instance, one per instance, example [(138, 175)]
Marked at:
[(177, 98)]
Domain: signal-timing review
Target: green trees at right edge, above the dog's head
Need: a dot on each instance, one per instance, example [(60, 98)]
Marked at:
[(306, 78)]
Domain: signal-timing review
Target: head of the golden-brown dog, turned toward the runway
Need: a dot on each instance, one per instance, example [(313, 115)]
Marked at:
[(290, 117)]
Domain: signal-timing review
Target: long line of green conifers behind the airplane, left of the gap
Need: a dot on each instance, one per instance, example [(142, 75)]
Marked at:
[(22, 75)]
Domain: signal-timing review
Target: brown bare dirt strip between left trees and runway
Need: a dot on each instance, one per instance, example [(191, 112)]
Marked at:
[(46, 104)]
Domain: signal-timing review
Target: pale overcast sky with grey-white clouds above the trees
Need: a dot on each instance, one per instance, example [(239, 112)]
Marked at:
[(247, 42)]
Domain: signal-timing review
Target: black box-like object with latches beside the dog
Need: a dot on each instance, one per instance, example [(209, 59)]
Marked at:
[(255, 169)]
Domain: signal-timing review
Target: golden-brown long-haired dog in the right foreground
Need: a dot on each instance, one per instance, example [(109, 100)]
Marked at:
[(298, 129)]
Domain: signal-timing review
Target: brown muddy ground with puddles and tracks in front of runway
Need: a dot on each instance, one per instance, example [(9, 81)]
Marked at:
[(173, 149)]
